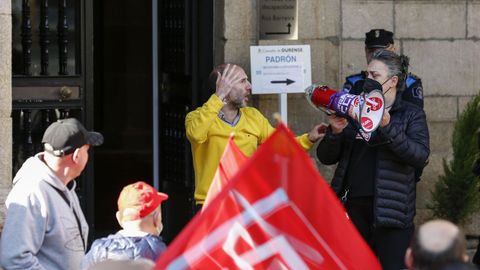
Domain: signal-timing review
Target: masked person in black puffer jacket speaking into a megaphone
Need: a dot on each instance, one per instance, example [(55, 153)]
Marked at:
[(375, 176)]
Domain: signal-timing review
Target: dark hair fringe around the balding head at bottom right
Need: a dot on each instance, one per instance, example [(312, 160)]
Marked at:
[(423, 258)]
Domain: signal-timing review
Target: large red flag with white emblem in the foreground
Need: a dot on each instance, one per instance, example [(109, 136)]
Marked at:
[(276, 213)]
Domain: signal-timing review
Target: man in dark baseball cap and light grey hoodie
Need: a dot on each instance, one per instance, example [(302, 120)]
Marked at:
[(45, 226)]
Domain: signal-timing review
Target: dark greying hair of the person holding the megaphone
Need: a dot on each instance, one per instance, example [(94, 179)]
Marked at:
[(397, 65)]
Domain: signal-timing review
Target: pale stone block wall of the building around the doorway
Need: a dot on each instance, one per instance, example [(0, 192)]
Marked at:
[(442, 37)]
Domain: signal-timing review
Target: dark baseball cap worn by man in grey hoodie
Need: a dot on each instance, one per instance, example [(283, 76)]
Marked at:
[(64, 136)]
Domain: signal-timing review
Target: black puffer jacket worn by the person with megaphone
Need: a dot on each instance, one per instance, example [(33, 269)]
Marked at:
[(405, 147)]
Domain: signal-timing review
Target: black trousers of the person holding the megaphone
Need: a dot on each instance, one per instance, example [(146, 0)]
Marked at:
[(389, 244)]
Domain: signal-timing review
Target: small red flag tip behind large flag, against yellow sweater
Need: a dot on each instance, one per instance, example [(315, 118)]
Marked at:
[(230, 162)]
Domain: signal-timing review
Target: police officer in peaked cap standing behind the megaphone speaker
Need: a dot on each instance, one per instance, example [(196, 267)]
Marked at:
[(378, 39)]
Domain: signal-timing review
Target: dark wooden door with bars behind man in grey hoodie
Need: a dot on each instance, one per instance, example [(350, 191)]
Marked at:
[(52, 78)]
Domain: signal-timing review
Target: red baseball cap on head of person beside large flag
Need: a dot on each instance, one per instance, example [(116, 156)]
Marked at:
[(139, 199)]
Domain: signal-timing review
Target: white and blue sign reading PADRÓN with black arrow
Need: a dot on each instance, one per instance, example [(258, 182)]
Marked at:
[(280, 69)]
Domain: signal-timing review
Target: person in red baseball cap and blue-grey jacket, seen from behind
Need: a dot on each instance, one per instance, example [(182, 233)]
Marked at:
[(140, 215)]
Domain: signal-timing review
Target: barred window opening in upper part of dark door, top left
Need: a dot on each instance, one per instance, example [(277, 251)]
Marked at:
[(43, 37)]
